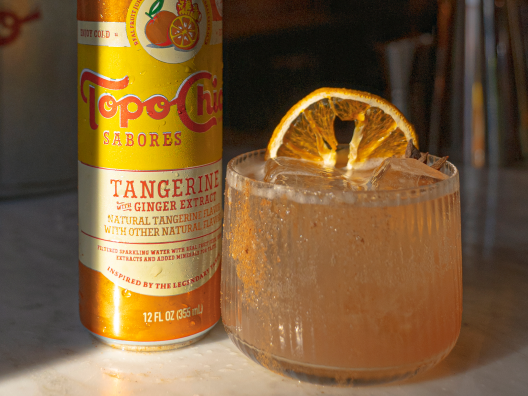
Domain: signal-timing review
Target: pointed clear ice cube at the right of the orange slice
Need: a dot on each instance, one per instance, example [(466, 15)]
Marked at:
[(400, 173)]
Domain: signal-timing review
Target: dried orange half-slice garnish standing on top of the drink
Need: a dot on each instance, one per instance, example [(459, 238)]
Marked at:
[(307, 130)]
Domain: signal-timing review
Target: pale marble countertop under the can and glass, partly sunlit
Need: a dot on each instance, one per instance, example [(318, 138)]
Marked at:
[(44, 350)]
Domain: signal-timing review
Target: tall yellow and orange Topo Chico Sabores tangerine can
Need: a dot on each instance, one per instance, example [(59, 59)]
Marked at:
[(150, 164)]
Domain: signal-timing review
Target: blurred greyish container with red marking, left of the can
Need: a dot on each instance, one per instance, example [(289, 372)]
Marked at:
[(38, 110)]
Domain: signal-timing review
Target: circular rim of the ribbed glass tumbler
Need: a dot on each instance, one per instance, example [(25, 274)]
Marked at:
[(381, 197)]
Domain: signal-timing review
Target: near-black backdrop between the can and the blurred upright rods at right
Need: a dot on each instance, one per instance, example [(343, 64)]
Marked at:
[(276, 52)]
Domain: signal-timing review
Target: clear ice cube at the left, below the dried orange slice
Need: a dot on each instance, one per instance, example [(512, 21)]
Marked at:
[(299, 173)]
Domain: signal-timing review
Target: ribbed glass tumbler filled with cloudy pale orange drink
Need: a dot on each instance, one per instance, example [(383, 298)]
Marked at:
[(344, 288)]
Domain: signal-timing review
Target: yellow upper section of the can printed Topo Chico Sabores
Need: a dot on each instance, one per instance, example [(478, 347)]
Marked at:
[(144, 106)]
